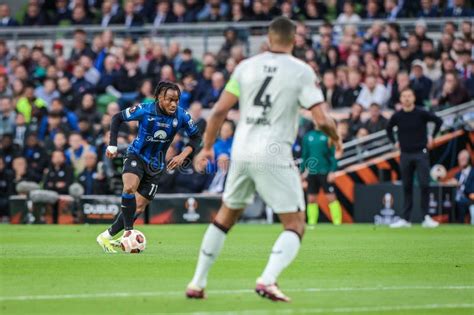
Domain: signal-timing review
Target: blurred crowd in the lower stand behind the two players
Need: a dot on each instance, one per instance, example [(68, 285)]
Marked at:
[(55, 109)]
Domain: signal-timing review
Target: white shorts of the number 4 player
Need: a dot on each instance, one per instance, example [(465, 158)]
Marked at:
[(278, 185)]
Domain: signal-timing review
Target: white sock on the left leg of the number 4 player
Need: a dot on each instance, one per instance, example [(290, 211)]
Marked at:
[(210, 248)]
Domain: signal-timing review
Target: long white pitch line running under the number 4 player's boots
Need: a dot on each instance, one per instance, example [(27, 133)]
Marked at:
[(217, 292)]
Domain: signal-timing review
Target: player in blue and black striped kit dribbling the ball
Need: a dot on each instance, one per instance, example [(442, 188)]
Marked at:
[(159, 121)]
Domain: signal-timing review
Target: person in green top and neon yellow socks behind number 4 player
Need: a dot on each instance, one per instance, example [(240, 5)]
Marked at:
[(319, 164)]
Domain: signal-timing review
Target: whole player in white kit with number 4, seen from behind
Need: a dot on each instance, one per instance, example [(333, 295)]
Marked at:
[(270, 89)]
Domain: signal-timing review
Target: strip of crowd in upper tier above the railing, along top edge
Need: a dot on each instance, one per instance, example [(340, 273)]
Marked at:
[(135, 13)]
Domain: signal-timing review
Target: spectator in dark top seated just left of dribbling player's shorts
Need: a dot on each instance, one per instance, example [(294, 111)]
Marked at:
[(92, 179)]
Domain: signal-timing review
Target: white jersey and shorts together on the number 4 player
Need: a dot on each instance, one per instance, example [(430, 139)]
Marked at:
[(271, 88)]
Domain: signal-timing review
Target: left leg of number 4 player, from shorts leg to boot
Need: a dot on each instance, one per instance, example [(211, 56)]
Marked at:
[(239, 192)]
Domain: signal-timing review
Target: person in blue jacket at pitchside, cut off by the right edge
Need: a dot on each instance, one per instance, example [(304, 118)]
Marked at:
[(465, 187)]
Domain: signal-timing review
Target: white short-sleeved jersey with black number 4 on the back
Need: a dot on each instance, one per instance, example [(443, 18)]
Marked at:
[(271, 88)]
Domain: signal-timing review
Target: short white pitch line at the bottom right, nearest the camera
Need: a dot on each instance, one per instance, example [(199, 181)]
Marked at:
[(356, 309)]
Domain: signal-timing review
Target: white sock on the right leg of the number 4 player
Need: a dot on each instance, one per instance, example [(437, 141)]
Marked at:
[(283, 252)]
